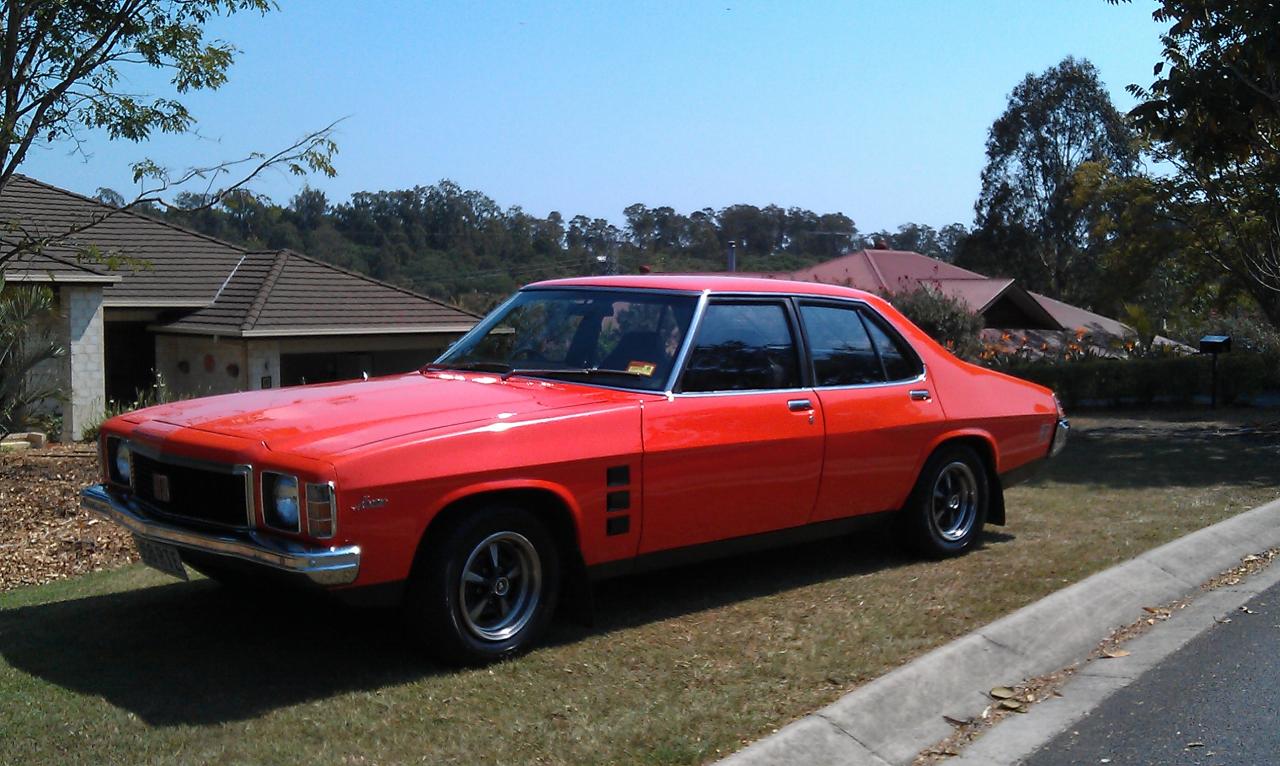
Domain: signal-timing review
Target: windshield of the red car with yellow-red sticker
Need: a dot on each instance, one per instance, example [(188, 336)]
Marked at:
[(616, 338)]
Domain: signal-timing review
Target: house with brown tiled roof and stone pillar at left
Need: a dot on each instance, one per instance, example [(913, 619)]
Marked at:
[(207, 316)]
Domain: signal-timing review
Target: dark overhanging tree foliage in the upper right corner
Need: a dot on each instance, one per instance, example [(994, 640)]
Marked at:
[(1214, 115)]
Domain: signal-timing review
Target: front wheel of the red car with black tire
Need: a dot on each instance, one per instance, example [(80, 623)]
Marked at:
[(486, 587)]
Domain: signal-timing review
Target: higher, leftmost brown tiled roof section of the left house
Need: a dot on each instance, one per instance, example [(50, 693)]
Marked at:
[(180, 268)]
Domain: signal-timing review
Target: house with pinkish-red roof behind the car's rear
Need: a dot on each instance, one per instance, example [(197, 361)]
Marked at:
[(1004, 306)]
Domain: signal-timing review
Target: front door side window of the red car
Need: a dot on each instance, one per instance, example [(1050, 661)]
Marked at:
[(746, 346)]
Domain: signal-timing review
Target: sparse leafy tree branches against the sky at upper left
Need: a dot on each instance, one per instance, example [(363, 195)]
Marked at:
[(66, 67)]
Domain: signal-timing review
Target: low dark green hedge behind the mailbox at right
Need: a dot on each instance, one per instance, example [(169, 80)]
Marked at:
[(1176, 380)]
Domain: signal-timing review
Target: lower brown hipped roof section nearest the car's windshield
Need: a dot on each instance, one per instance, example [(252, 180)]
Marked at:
[(287, 294)]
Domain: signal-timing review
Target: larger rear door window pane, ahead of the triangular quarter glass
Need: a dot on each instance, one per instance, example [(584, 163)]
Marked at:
[(843, 352)]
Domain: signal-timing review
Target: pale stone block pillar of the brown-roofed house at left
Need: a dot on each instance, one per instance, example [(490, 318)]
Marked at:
[(85, 362)]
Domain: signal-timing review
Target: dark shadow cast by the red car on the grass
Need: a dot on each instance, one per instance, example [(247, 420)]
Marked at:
[(196, 654)]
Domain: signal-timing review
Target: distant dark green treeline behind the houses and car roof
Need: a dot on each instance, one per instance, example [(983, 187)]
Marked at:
[(460, 245)]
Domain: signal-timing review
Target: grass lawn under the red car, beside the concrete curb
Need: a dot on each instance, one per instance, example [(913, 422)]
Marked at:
[(682, 667)]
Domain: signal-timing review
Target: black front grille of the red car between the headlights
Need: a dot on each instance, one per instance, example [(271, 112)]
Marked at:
[(195, 494)]
